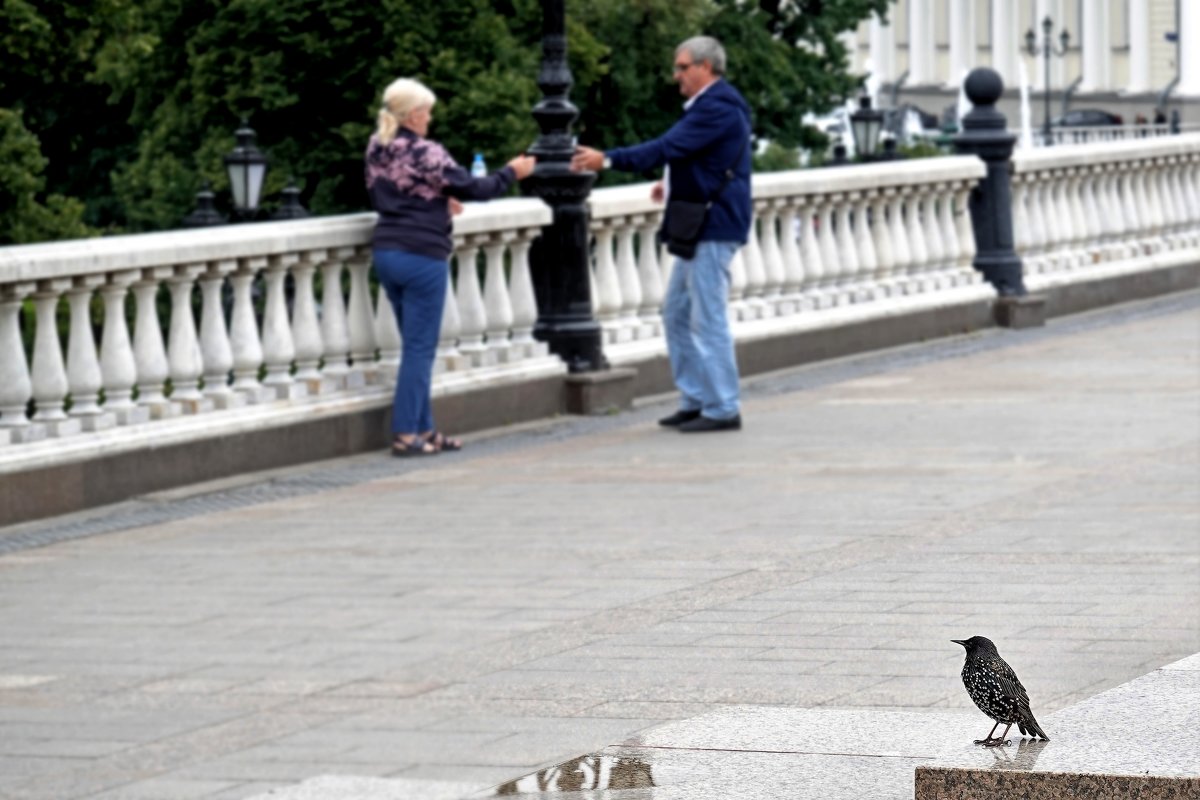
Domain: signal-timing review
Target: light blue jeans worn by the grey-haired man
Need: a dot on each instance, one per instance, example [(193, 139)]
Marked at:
[(700, 345)]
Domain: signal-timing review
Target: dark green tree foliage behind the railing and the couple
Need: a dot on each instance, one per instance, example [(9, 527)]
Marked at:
[(118, 111)]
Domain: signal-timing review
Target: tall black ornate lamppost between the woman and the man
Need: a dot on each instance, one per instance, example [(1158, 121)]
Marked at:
[(559, 260)]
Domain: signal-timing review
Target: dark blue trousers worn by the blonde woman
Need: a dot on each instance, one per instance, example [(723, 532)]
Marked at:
[(417, 288)]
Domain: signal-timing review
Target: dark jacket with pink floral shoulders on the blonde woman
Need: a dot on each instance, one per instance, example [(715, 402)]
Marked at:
[(411, 182)]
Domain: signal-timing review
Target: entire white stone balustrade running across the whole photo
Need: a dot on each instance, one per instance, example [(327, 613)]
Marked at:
[(286, 311)]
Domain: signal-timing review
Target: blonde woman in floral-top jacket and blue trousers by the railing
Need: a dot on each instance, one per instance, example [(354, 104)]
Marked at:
[(416, 187)]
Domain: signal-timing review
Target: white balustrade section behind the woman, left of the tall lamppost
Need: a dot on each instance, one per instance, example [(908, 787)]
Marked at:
[(247, 326)]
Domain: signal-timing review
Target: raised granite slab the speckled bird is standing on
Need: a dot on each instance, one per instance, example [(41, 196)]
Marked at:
[(1138, 741)]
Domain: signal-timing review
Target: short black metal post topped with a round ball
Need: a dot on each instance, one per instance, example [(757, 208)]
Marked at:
[(986, 135)]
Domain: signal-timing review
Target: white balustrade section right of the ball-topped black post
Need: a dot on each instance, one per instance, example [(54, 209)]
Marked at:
[(1082, 207)]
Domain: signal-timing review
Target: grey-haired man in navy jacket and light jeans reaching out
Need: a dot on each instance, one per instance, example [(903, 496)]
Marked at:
[(707, 154)]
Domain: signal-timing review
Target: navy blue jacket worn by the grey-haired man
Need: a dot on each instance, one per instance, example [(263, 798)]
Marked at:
[(709, 139)]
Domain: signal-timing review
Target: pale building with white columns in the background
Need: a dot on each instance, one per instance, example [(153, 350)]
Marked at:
[(1129, 57)]
